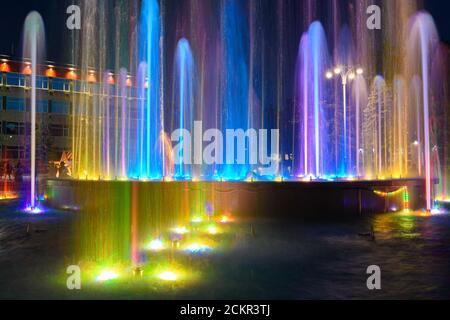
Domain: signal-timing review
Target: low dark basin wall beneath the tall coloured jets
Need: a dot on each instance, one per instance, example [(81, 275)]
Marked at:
[(245, 199)]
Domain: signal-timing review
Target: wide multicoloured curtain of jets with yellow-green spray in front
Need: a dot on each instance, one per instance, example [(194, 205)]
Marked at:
[(134, 121)]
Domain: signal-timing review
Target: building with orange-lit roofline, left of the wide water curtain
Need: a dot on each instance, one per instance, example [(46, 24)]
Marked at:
[(54, 89)]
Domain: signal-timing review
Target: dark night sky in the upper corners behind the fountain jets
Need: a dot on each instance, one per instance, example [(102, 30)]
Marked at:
[(53, 12)]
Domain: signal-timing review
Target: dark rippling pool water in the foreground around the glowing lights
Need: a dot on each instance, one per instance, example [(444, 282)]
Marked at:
[(270, 259)]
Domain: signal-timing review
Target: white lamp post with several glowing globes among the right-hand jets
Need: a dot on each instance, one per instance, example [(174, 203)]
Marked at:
[(347, 74)]
